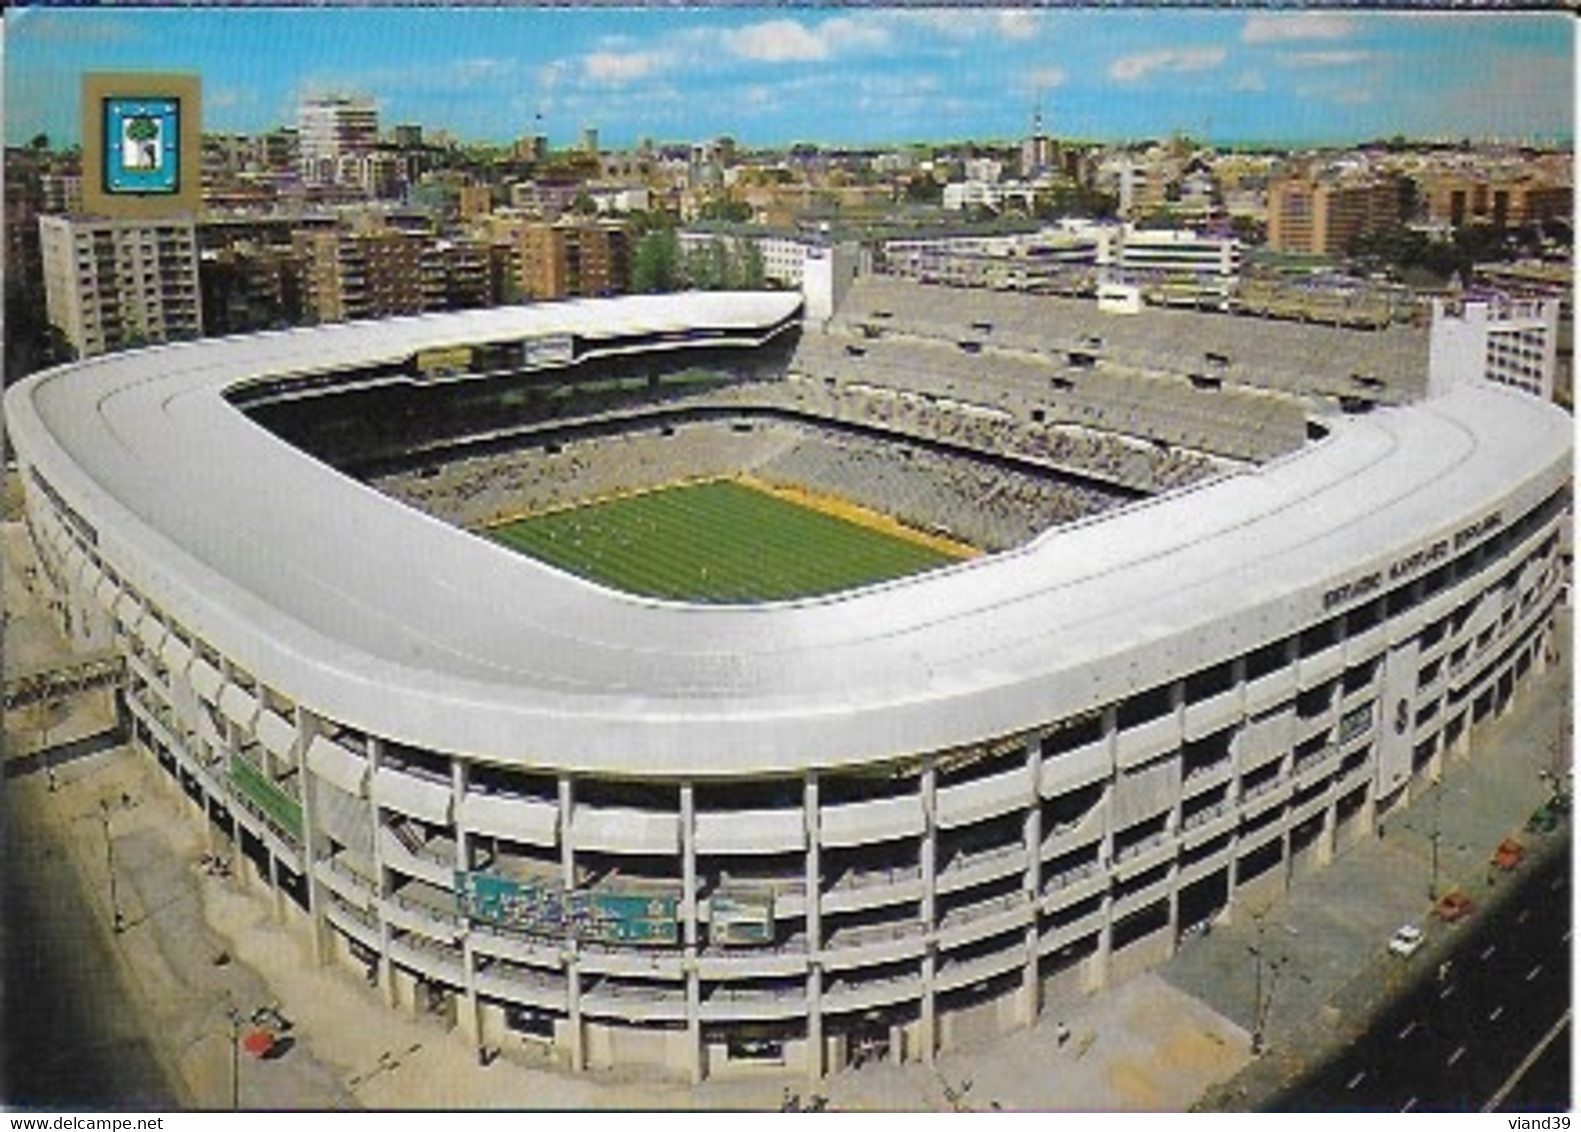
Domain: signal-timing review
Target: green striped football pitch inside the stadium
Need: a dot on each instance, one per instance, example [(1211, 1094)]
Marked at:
[(715, 541)]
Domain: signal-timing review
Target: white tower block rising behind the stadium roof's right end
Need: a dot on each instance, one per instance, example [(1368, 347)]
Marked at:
[(1514, 342)]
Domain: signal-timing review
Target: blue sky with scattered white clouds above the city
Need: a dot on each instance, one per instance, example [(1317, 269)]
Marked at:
[(836, 75)]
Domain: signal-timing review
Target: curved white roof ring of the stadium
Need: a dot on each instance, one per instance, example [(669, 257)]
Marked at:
[(390, 621)]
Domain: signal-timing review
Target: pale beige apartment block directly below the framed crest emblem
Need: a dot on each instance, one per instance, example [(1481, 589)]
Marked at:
[(113, 284)]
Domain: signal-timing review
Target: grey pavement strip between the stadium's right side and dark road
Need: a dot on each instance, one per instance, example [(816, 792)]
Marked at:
[(1330, 934)]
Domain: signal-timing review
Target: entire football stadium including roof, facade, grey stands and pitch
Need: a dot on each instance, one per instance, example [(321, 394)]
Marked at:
[(681, 685)]
